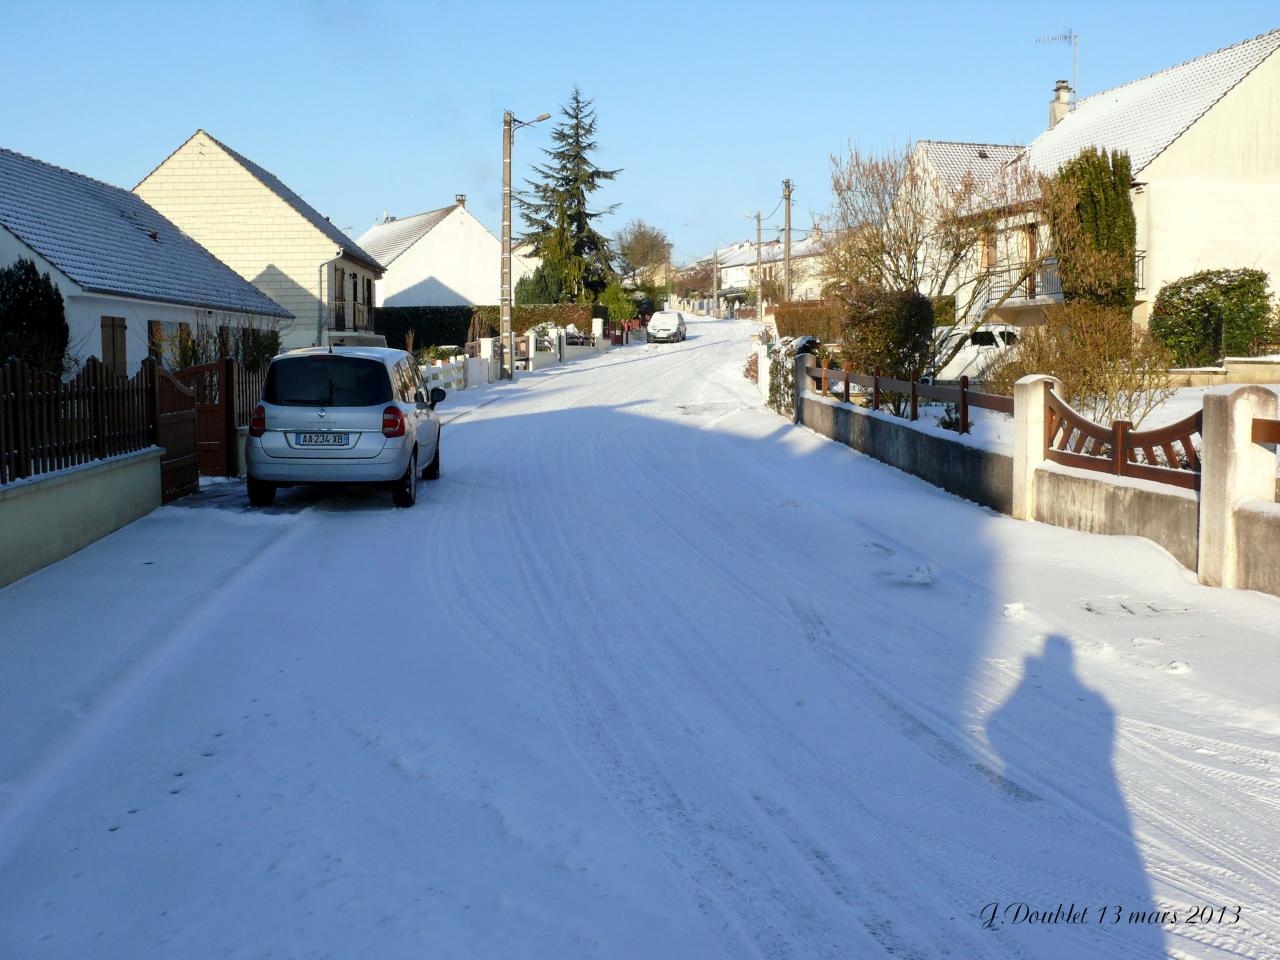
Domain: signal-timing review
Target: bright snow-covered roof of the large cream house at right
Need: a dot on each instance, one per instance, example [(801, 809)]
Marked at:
[(1145, 117)]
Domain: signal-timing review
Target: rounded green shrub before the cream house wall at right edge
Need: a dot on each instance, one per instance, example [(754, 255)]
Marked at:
[(1214, 314)]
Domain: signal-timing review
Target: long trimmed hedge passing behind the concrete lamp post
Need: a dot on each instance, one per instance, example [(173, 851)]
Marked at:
[(458, 326)]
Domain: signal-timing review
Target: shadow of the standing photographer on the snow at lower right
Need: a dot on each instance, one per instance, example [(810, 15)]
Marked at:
[(1059, 735)]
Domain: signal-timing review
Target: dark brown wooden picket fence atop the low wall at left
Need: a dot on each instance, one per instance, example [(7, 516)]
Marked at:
[(48, 426)]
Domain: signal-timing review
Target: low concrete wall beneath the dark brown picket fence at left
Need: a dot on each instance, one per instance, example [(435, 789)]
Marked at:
[(51, 518)]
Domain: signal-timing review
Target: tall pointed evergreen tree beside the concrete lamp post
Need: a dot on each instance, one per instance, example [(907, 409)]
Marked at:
[(557, 214)]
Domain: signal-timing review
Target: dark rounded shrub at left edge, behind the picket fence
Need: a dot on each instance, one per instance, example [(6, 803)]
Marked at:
[(33, 318)]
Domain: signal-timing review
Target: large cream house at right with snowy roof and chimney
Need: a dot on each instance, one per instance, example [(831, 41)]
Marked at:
[(1204, 141)]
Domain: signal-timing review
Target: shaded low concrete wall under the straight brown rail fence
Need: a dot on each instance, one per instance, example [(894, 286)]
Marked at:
[(976, 474)]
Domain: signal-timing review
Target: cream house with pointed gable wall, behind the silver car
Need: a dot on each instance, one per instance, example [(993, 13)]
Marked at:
[(267, 234)]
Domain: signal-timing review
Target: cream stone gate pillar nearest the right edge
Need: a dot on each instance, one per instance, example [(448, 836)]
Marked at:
[(1232, 469)]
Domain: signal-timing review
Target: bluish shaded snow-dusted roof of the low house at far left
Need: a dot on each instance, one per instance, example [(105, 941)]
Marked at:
[(111, 241)]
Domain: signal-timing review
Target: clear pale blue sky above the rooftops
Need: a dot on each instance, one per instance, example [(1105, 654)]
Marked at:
[(371, 107)]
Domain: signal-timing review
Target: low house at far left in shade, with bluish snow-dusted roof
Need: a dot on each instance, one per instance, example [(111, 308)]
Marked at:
[(129, 277)]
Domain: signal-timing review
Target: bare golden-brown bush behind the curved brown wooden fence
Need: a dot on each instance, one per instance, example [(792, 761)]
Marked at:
[(1110, 369)]
